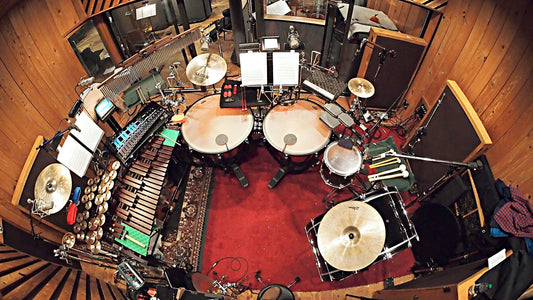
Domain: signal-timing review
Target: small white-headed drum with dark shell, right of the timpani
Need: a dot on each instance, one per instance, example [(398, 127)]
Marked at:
[(341, 165)]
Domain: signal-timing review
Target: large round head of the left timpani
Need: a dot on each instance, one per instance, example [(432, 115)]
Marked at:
[(210, 129)]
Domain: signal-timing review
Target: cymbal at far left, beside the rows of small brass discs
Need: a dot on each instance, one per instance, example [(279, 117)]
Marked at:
[(53, 185)]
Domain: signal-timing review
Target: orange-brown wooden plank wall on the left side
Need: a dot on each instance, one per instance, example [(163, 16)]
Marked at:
[(38, 72)]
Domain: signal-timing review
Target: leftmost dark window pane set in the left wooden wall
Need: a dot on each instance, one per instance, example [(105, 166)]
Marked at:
[(91, 52)]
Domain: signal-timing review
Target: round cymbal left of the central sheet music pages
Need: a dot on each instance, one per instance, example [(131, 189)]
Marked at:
[(206, 69)]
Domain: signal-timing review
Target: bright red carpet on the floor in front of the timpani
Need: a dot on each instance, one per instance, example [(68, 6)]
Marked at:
[(265, 228)]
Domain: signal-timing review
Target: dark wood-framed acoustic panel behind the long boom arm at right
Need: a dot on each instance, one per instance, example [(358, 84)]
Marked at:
[(452, 131)]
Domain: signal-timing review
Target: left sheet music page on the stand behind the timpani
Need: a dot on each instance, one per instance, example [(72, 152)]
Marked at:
[(253, 68)]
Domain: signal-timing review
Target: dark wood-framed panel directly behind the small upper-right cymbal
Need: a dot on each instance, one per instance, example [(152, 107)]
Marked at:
[(390, 61)]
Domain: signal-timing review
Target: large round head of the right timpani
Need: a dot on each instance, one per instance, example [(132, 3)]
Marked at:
[(296, 129)]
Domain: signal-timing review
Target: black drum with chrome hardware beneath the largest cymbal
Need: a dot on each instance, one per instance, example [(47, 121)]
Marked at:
[(400, 232)]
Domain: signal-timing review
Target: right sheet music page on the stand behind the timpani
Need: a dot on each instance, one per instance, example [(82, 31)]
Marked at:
[(285, 68)]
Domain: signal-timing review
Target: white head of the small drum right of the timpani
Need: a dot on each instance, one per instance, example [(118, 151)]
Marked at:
[(342, 161)]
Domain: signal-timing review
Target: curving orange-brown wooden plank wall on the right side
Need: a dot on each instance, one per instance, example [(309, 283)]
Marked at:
[(486, 47)]
